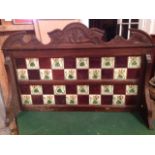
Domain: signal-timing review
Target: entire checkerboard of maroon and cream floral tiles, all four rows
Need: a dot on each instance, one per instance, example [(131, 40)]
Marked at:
[(119, 68)]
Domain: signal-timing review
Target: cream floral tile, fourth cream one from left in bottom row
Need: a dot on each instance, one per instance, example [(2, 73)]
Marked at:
[(95, 99)]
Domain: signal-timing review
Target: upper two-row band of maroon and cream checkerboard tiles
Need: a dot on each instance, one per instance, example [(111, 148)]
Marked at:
[(82, 68)]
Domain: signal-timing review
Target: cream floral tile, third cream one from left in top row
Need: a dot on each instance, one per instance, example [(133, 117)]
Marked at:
[(82, 63)]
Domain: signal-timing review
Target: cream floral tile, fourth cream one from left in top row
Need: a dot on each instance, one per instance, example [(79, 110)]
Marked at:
[(108, 62)]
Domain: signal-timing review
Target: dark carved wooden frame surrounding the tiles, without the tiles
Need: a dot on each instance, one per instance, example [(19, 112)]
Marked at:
[(70, 42)]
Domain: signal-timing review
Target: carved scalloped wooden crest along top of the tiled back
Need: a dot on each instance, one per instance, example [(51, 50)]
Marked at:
[(75, 35)]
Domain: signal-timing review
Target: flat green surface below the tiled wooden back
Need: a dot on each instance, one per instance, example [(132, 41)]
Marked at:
[(81, 123)]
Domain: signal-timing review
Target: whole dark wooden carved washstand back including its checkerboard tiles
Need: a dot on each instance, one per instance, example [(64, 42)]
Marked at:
[(77, 70)]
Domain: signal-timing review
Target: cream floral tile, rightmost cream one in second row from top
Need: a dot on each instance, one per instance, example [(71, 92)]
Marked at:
[(120, 73)]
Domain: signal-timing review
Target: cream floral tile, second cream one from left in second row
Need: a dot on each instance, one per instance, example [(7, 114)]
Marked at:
[(45, 74)]
